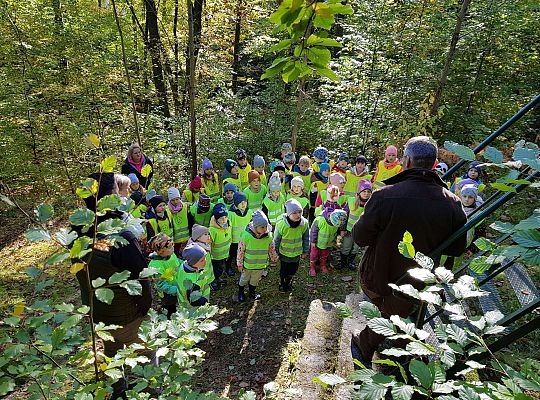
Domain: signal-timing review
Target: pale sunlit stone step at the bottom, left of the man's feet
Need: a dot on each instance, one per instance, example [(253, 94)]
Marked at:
[(318, 348)]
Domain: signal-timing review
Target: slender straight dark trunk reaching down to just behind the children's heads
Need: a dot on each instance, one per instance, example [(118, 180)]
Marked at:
[(191, 88)]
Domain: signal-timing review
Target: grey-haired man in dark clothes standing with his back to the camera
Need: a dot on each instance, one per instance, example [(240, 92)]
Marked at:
[(418, 201)]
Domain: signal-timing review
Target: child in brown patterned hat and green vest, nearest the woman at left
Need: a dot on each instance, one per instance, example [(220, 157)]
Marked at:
[(163, 259)]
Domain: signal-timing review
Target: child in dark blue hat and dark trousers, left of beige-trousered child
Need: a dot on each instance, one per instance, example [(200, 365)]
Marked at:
[(221, 235)]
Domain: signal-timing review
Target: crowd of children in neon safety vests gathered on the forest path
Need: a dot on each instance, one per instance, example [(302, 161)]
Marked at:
[(247, 220)]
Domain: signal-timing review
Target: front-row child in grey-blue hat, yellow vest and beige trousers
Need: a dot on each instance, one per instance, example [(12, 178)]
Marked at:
[(254, 249)]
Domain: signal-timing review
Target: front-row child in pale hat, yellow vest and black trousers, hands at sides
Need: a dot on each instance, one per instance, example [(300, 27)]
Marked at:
[(291, 240)]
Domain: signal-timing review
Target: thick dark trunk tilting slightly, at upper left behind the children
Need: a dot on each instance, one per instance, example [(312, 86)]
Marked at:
[(154, 44)]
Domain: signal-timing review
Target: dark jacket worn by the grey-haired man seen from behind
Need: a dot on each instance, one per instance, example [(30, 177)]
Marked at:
[(416, 200)]
